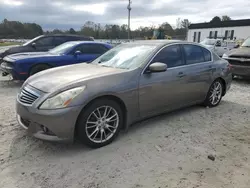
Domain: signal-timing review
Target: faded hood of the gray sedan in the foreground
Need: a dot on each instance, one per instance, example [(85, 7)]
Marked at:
[(67, 76)]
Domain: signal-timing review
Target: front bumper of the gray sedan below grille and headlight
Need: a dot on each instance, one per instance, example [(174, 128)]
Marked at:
[(50, 125)]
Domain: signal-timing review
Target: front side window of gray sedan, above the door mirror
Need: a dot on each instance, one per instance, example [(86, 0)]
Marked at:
[(170, 55)]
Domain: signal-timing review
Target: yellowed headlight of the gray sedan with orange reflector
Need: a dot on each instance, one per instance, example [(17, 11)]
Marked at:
[(61, 100)]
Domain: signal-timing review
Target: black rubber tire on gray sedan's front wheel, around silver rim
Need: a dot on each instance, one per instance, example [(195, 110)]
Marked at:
[(81, 127)]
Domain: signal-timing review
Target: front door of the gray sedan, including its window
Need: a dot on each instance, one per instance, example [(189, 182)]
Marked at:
[(162, 91)]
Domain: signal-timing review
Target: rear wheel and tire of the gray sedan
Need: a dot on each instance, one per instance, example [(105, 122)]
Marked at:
[(214, 94)]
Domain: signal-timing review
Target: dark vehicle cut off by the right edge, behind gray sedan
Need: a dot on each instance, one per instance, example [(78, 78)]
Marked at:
[(239, 59)]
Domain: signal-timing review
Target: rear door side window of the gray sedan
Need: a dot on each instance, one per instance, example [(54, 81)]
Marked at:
[(193, 54)]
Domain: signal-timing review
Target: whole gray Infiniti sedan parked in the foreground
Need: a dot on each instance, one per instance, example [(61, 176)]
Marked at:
[(132, 81)]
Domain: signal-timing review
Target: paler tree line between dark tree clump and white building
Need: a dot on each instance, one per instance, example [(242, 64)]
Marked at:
[(114, 31)]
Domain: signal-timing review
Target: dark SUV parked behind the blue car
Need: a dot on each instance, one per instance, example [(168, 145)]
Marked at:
[(43, 43)]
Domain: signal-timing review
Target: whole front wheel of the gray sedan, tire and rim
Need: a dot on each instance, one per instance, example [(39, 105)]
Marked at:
[(100, 123)]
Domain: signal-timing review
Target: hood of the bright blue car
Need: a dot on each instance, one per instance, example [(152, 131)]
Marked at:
[(31, 55)]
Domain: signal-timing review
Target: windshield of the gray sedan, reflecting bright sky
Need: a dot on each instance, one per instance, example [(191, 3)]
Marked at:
[(125, 56)]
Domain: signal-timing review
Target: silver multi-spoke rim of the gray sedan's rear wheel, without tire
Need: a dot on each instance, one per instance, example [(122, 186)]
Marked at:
[(215, 93)]
